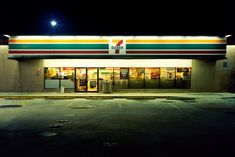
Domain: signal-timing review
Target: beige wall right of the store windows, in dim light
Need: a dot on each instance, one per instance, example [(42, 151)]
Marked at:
[(211, 75)]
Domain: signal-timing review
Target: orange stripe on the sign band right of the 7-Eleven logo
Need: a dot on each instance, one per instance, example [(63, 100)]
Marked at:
[(175, 41)]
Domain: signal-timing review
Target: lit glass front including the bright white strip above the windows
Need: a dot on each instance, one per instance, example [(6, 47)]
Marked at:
[(88, 75)]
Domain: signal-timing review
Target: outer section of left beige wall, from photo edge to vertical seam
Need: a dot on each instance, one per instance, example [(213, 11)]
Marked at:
[(9, 72)]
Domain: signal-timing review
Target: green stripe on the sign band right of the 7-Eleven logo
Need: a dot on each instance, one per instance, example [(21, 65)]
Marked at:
[(175, 46)]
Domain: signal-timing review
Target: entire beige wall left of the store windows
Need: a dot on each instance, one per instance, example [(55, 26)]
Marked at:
[(20, 75)]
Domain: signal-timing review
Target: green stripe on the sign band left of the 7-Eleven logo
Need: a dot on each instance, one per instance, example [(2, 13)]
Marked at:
[(59, 46)]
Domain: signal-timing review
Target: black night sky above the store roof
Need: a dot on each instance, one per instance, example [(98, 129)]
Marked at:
[(122, 17)]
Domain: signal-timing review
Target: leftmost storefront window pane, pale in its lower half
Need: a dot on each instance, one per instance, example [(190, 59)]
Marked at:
[(51, 77)]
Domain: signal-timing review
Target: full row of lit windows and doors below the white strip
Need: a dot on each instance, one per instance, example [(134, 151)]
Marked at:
[(87, 79)]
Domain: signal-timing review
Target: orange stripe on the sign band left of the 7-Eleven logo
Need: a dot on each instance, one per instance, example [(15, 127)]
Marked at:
[(58, 41)]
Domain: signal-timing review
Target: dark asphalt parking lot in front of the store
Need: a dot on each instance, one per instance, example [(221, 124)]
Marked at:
[(203, 125)]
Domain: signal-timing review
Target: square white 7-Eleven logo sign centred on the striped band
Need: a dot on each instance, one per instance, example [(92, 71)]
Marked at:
[(117, 46)]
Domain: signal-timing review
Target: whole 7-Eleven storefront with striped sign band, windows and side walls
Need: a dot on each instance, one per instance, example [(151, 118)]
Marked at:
[(82, 63)]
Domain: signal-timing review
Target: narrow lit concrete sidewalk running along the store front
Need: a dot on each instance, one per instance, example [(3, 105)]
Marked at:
[(95, 95)]
